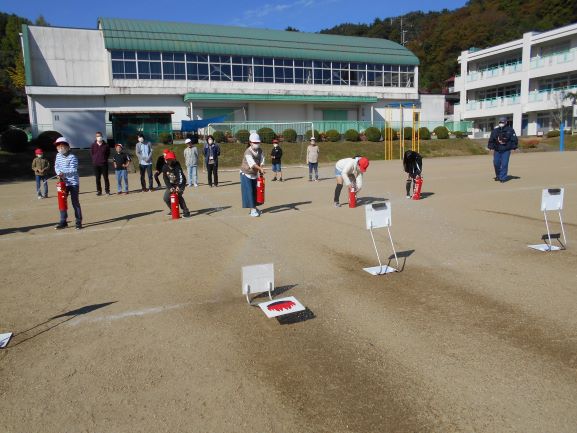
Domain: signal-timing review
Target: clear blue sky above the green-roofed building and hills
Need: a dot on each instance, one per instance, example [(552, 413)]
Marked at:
[(305, 15)]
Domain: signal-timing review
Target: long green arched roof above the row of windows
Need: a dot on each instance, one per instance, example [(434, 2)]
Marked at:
[(143, 35)]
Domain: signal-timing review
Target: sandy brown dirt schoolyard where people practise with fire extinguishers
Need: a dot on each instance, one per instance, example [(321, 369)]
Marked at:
[(137, 322)]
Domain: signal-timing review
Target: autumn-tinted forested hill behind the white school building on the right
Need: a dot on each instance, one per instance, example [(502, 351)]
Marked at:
[(438, 38)]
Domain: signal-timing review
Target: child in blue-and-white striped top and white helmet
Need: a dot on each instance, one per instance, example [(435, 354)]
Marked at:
[(66, 168)]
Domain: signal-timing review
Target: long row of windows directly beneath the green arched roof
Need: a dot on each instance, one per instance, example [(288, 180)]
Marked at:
[(146, 65)]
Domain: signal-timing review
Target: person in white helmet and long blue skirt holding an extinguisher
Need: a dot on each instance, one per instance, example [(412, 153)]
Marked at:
[(250, 168)]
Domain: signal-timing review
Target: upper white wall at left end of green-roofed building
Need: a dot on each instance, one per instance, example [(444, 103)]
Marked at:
[(67, 57)]
